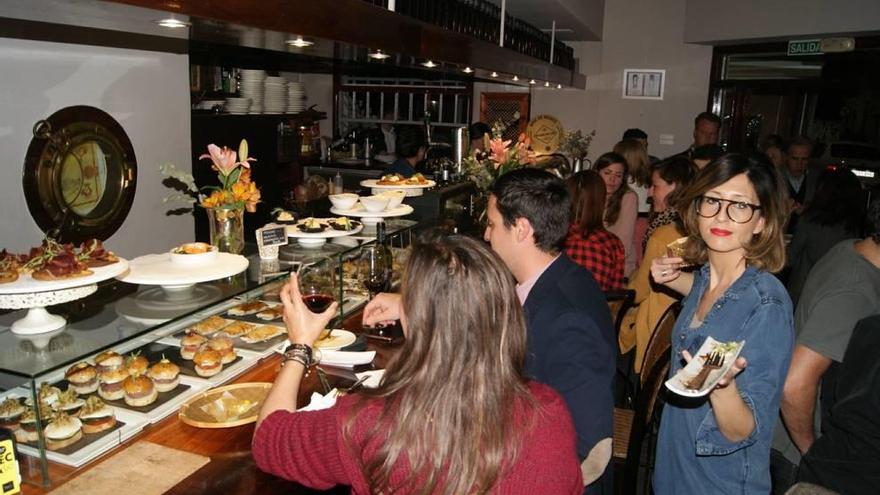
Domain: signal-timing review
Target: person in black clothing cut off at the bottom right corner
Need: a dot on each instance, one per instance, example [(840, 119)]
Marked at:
[(846, 458)]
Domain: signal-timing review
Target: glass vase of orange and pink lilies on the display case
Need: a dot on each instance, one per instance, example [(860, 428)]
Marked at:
[(224, 204)]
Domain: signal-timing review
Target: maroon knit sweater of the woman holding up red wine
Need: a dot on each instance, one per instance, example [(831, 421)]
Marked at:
[(308, 447)]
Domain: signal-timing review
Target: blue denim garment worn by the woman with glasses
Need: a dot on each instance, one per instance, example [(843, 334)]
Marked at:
[(692, 454)]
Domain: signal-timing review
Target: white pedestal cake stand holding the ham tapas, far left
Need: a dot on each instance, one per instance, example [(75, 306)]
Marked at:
[(35, 295)]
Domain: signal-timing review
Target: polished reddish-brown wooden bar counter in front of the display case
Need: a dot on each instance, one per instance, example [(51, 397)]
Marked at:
[(232, 469)]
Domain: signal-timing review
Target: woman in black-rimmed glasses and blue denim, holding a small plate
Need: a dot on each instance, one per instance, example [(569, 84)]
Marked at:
[(720, 443)]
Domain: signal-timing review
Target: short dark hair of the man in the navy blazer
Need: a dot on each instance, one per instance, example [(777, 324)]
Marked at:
[(541, 198)]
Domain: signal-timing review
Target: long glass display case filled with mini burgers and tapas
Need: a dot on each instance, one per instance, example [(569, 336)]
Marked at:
[(147, 323)]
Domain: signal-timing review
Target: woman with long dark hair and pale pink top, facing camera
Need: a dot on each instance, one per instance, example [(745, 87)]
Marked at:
[(621, 203)]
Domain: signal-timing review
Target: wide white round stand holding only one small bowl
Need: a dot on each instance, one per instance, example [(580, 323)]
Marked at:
[(157, 269)]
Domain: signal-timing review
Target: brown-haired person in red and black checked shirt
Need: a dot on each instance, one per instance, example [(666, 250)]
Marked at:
[(588, 243)]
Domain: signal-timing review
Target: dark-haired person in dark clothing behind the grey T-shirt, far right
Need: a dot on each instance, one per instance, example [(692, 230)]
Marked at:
[(835, 213)]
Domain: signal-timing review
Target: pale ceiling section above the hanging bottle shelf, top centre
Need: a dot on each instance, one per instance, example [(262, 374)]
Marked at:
[(576, 20)]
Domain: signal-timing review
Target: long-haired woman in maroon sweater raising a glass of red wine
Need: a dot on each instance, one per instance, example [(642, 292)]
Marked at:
[(454, 412)]
